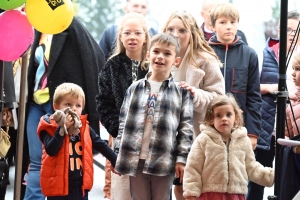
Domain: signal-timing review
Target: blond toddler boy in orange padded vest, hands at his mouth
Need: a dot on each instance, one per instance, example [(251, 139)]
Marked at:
[(68, 140)]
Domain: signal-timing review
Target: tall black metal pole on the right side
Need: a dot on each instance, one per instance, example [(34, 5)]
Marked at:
[(281, 96)]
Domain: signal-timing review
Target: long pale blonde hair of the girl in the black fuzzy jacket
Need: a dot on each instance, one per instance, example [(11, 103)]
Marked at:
[(119, 48)]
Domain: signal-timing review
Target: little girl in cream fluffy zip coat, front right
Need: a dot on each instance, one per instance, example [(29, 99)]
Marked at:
[(221, 160)]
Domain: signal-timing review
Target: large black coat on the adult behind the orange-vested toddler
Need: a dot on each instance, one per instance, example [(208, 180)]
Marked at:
[(74, 57)]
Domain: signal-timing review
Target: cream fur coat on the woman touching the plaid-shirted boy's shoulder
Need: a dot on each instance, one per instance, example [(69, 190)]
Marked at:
[(208, 80)]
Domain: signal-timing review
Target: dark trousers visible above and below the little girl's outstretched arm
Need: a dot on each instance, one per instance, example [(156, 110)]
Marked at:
[(264, 157)]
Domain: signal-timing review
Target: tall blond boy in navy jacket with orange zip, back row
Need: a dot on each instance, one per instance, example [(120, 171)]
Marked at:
[(240, 66)]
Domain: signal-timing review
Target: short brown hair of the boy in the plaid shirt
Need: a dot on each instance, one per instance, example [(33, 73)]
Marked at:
[(166, 38)]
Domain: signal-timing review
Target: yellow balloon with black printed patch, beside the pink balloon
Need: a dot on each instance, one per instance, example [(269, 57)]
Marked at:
[(49, 16)]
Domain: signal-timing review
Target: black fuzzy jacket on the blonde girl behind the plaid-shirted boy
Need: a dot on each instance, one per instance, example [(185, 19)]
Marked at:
[(114, 79)]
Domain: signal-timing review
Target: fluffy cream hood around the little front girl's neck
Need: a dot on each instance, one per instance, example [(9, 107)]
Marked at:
[(213, 133)]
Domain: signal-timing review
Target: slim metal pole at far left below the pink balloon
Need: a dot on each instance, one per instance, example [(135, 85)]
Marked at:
[(21, 128)]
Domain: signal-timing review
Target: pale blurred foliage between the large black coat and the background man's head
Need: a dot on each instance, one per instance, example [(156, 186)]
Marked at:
[(97, 15)]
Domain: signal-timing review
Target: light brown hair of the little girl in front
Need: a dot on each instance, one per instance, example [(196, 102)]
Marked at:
[(222, 100)]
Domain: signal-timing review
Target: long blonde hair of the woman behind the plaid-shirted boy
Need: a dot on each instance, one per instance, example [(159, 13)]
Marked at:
[(197, 40)]
